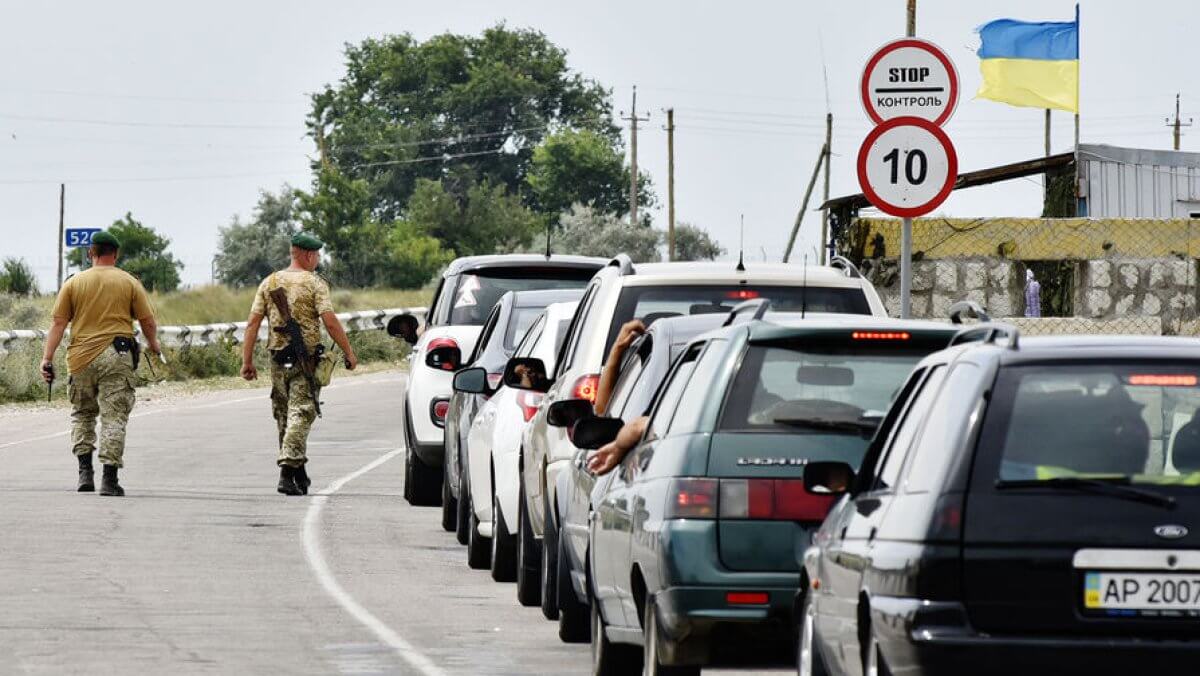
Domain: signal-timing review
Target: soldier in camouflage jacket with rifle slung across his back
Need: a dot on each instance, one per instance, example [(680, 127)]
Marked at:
[(293, 403)]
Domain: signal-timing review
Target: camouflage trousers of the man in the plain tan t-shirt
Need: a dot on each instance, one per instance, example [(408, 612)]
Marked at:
[(105, 388)]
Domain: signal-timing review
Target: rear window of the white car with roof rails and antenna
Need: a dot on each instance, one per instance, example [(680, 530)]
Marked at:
[(653, 303)]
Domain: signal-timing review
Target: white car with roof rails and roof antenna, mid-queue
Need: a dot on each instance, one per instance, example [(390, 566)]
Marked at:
[(649, 292)]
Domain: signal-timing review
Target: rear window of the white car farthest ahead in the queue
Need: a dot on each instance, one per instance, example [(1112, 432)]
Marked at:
[(481, 290)]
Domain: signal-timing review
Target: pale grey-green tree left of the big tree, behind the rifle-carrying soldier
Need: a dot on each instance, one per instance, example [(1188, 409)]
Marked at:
[(249, 253)]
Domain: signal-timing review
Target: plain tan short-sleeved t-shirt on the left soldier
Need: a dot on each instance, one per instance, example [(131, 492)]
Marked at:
[(101, 304)]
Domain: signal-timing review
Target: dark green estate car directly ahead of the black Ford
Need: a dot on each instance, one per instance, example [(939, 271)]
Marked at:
[(698, 536)]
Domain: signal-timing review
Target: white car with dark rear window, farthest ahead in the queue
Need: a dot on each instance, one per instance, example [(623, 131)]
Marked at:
[(465, 297)]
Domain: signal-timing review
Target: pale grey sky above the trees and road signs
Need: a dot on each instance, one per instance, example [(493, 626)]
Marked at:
[(182, 113)]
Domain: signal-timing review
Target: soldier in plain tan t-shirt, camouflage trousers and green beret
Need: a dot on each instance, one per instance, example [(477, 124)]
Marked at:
[(100, 306)]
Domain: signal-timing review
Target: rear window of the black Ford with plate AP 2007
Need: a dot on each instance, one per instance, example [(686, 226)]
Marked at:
[(1136, 422)]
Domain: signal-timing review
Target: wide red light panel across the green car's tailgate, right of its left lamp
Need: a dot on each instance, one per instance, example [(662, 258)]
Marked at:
[(772, 500)]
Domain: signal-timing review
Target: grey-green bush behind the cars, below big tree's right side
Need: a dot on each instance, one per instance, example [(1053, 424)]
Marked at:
[(587, 232)]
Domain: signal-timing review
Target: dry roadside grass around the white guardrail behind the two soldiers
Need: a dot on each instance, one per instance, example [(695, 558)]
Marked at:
[(21, 380)]
